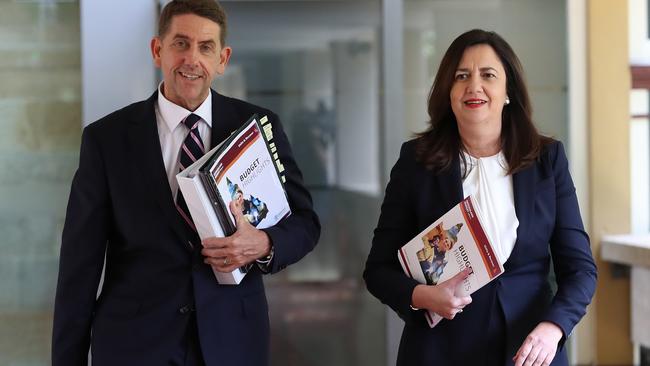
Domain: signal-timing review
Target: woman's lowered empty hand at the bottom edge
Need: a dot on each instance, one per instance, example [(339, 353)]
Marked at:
[(540, 346)]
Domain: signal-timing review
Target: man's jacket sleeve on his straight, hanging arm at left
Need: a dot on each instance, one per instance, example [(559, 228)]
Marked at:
[(81, 257)]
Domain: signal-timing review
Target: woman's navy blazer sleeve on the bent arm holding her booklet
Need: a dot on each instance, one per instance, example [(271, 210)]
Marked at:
[(383, 274)]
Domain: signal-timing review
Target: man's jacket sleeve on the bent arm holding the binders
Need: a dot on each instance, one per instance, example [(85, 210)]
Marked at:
[(296, 235)]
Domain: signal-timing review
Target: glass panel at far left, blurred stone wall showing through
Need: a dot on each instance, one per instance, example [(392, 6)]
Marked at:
[(41, 127)]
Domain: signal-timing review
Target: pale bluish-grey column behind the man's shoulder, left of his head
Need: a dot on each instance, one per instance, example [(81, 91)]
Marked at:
[(117, 68)]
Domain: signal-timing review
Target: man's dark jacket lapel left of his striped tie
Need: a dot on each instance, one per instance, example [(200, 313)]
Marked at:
[(143, 137)]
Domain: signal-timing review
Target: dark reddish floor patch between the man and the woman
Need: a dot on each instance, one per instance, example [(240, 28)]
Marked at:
[(325, 324)]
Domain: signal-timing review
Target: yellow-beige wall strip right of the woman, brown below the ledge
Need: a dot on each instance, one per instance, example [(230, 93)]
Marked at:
[(609, 85)]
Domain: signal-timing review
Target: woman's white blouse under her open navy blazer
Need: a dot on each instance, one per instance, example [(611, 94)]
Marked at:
[(492, 187)]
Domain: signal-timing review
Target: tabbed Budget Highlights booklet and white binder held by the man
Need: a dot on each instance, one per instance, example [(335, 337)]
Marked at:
[(246, 164)]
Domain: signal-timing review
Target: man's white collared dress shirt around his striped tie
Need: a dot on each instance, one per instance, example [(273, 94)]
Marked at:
[(172, 132)]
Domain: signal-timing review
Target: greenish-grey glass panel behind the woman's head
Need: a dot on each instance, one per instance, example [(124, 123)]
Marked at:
[(535, 29)]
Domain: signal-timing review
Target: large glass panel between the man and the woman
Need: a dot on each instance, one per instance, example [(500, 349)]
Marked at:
[(316, 64)]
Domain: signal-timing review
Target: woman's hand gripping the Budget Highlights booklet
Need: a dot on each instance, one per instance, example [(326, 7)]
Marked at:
[(441, 298)]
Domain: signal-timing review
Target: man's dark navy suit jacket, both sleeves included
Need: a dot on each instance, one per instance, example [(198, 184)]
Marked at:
[(121, 206)]
